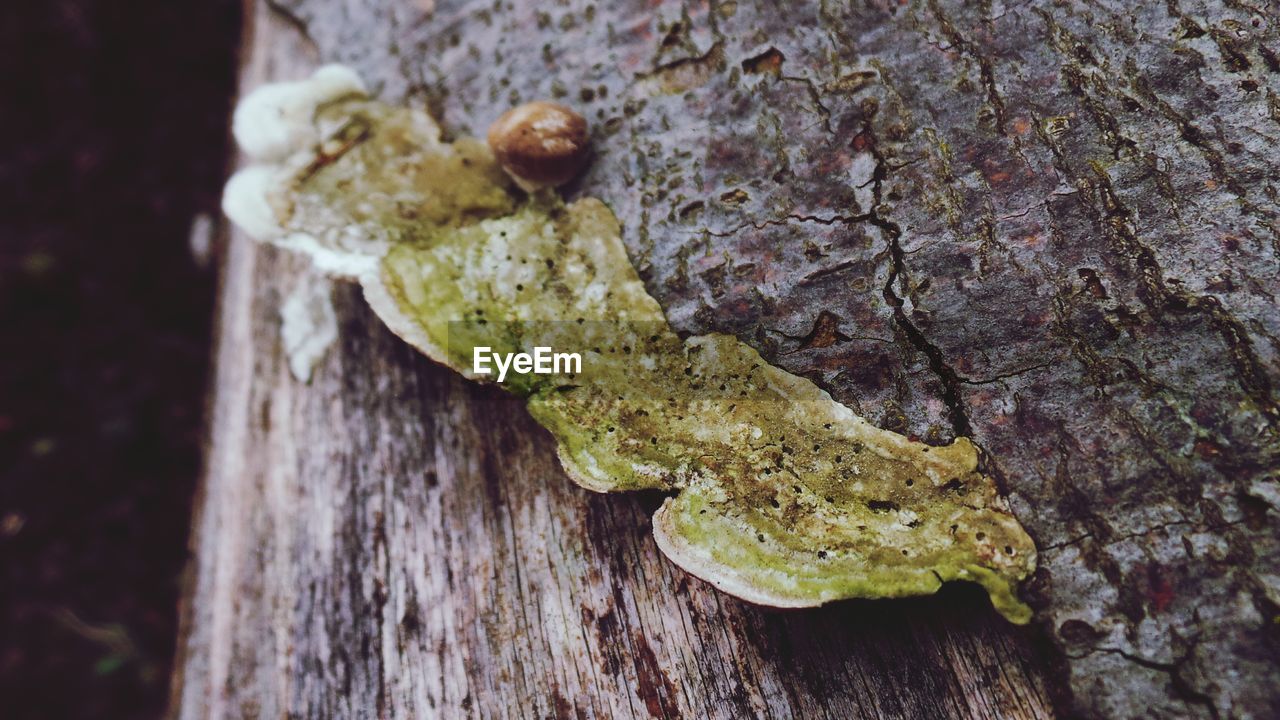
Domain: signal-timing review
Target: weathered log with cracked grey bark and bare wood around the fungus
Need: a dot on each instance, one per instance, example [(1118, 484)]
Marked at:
[(1049, 226)]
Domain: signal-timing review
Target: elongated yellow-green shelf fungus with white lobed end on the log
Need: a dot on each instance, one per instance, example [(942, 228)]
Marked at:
[(780, 495)]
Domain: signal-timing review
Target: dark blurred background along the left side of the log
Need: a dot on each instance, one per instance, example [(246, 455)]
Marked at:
[(115, 126)]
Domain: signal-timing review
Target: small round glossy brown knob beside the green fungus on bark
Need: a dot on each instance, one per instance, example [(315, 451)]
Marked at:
[(540, 144)]
